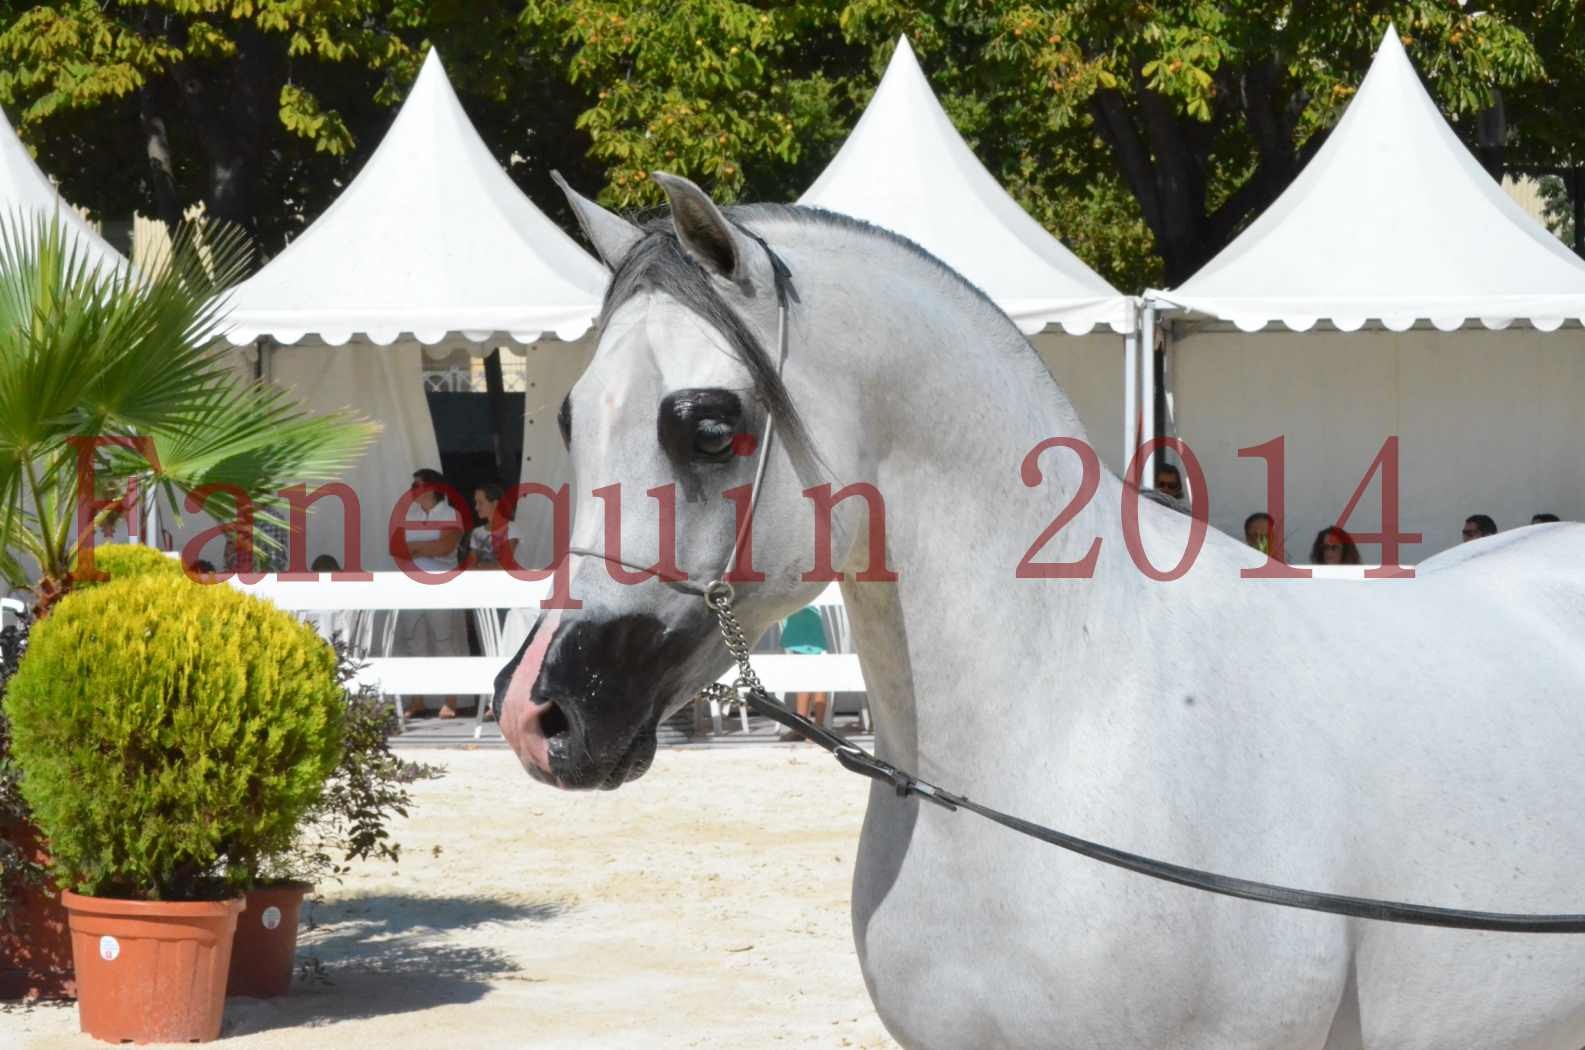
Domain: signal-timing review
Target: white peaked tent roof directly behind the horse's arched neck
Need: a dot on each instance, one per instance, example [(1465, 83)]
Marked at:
[(906, 169)]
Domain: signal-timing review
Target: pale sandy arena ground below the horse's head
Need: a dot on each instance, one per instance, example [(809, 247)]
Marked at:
[(701, 906)]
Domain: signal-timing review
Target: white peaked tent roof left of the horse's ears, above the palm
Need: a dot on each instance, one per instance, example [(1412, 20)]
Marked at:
[(430, 240)]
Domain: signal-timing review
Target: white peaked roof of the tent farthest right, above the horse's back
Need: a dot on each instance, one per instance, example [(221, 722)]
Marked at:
[(1392, 221)]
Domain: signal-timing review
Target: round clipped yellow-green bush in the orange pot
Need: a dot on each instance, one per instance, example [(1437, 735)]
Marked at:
[(169, 734)]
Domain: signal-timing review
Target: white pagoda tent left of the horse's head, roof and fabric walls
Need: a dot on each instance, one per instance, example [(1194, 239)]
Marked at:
[(430, 247)]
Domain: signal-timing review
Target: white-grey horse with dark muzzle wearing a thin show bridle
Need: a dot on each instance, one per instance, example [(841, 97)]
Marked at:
[(1418, 742)]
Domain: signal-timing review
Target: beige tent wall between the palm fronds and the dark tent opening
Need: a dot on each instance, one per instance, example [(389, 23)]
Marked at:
[(384, 385)]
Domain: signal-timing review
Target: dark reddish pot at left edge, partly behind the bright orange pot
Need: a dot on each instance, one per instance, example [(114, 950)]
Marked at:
[(36, 945)]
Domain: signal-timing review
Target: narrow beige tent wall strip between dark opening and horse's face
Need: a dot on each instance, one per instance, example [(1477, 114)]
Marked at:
[(552, 370)]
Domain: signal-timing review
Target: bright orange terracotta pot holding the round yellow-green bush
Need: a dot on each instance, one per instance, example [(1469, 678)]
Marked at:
[(151, 971)]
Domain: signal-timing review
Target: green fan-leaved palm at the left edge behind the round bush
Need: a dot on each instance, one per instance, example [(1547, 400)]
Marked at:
[(91, 353)]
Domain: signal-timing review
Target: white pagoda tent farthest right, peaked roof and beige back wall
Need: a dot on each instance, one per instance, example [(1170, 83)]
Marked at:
[(1396, 291)]
